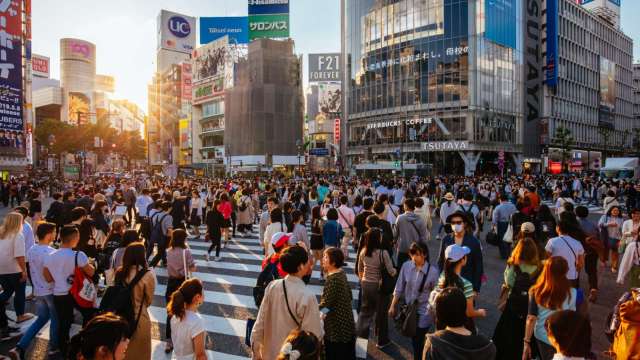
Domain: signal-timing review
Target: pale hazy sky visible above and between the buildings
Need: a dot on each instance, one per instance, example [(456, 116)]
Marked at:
[(124, 32)]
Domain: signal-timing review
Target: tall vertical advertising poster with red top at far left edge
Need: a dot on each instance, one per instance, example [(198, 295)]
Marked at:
[(12, 137)]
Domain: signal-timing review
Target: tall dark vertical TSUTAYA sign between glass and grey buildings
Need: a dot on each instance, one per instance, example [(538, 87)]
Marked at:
[(533, 78)]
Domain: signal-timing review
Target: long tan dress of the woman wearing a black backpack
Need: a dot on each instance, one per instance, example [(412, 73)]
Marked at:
[(140, 344)]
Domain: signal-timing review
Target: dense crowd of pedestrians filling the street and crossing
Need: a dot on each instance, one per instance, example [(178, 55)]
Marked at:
[(97, 248)]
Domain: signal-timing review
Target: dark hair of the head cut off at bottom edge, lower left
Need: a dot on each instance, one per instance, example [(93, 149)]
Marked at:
[(104, 331)]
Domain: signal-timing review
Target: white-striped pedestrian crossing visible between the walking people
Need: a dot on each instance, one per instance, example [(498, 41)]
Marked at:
[(228, 301)]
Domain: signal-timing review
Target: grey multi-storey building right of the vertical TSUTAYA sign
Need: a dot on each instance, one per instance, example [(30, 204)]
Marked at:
[(593, 94)]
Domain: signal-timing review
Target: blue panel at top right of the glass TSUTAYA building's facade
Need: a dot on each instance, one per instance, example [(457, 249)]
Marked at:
[(500, 22)]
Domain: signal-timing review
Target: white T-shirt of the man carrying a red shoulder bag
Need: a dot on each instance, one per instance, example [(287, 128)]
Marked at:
[(61, 265)]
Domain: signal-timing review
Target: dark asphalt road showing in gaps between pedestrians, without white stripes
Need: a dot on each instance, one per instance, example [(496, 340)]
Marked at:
[(401, 347)]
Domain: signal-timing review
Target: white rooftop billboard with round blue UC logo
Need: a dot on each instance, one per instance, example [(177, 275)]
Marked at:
[(176, 32)]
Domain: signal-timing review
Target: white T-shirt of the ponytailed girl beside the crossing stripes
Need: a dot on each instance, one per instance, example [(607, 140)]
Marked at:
[(182, 333)]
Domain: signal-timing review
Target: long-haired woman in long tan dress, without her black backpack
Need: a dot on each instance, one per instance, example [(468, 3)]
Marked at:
[(140, 282)]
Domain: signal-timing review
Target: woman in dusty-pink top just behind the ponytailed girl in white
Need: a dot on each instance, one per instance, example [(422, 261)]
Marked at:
[(180, 263)]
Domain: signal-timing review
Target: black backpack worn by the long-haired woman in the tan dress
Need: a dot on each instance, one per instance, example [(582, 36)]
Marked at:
[(118, 299)]
